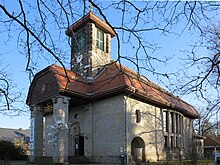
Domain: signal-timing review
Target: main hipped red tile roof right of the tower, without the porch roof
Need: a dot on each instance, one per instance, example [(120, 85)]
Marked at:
[(118, 77)]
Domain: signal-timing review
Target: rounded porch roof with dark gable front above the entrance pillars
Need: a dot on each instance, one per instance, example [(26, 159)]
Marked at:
[(52, 81)]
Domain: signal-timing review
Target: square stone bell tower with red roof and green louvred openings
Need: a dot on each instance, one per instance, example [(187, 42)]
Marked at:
[(90, 45)]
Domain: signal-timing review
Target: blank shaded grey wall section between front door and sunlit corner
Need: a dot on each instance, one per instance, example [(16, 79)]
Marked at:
[(109, 126)]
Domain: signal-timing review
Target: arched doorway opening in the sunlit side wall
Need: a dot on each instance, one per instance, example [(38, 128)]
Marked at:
[(138, 149)]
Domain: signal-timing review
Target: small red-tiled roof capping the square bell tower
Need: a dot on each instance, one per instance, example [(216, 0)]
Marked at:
[(90, 17)]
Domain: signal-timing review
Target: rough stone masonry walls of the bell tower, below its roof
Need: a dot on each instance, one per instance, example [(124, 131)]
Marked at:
[(93, 58)]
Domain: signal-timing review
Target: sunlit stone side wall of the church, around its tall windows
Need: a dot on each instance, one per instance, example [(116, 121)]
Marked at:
[(150, 129)]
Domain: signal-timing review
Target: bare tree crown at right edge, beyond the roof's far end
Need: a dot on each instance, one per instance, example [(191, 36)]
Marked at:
[(203, 59)]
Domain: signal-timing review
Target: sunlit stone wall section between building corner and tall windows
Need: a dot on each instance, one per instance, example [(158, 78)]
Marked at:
[(149, 129)]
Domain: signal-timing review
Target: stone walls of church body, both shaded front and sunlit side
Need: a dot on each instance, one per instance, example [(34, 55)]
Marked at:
[(109, 126)]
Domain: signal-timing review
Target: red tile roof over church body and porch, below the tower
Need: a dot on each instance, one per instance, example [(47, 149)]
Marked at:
[(114, 79)]
